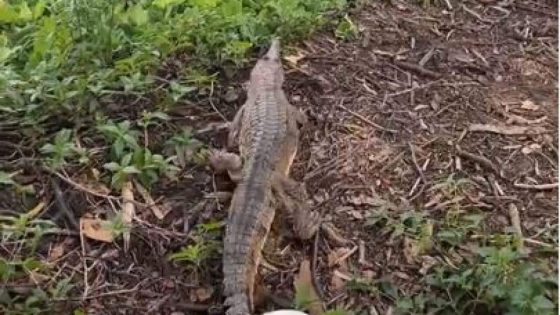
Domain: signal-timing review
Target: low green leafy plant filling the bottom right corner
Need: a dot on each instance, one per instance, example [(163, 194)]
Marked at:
[(501, 280)]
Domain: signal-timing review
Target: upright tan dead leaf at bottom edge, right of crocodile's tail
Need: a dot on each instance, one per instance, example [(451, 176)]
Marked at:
[(305, 291)]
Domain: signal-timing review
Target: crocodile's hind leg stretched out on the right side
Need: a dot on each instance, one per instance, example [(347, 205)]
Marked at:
[(292, 199)]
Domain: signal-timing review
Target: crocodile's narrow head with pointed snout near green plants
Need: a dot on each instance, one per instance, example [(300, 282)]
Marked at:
[(269, 67)]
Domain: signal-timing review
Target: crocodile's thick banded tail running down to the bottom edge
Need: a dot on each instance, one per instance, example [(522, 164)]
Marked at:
[(249, 221)]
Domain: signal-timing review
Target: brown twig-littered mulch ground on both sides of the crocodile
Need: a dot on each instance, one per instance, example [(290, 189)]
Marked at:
[(421, 94)]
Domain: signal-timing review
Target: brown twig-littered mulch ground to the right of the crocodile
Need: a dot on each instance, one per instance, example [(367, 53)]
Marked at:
[(394, 112)]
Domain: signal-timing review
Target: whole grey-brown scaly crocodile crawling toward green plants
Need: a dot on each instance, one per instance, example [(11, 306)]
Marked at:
[(265, 130)]
